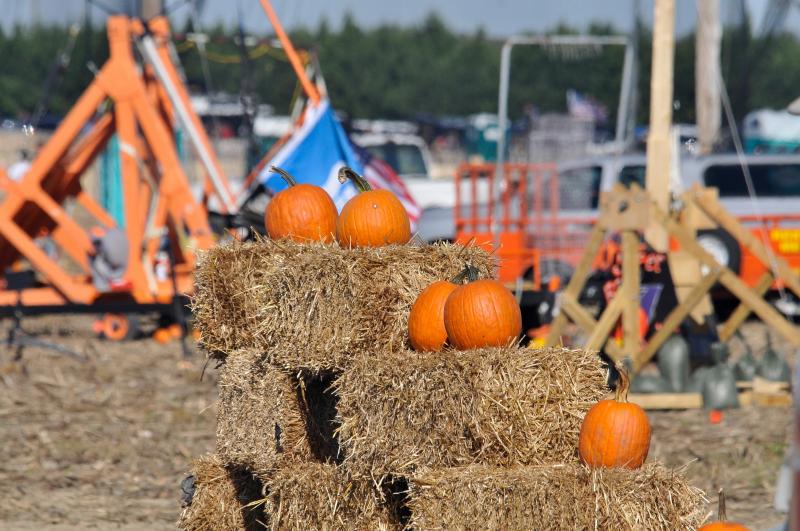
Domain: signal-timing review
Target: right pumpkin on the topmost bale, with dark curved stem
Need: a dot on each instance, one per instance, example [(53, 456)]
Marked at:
[(373, 218)]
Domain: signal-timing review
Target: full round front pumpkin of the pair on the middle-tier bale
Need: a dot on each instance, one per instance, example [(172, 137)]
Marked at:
[(481, 313)]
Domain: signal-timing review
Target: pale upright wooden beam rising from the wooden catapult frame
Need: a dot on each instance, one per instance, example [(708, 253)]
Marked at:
[(659, 141)]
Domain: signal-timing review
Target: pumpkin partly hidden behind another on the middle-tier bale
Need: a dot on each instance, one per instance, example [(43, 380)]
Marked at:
[(426, 320)]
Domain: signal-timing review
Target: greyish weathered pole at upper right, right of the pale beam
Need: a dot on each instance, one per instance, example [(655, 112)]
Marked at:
[(707, 73)]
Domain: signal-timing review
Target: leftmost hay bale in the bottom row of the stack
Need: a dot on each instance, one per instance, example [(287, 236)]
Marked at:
[(224, 499)]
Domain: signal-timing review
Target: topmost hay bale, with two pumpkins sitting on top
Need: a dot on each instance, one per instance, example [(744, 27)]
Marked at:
[(316, 306)]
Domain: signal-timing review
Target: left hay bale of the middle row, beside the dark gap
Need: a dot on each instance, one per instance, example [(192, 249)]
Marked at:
[(264, 418)]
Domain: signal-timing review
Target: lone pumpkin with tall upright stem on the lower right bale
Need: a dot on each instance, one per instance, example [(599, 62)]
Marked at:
[(615, 433)]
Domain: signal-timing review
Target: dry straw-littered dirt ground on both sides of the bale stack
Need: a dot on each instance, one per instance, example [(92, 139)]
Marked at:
[(105, 444)]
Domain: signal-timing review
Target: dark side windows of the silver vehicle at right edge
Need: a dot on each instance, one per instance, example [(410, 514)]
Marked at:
[(769, 180)]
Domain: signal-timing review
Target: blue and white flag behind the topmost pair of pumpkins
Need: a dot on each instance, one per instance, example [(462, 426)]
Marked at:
[(314, 154)]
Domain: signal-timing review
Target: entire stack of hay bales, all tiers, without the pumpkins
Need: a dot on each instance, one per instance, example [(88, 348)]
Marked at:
[(345, 427)]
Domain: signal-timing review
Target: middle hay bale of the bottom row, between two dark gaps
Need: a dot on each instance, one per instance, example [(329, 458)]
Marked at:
[(320, 496)]
